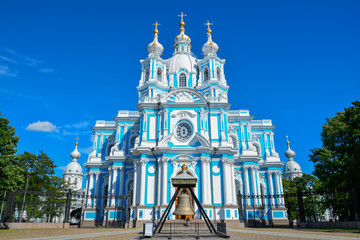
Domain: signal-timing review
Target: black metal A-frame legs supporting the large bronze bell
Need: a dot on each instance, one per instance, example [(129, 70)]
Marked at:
[(202, 211)]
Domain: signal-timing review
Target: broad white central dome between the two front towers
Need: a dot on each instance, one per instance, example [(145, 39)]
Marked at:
[(182, 61)]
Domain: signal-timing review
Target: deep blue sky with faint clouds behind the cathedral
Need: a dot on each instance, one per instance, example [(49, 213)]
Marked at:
[(69, 63)]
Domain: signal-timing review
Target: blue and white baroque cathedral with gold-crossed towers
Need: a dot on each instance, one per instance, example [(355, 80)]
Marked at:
[(183, 116)]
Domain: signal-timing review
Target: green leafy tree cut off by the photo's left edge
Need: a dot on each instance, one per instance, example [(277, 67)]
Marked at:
[(11, 176)]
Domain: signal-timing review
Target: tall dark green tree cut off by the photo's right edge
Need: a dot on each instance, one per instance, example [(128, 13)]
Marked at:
[(337, 163)]
